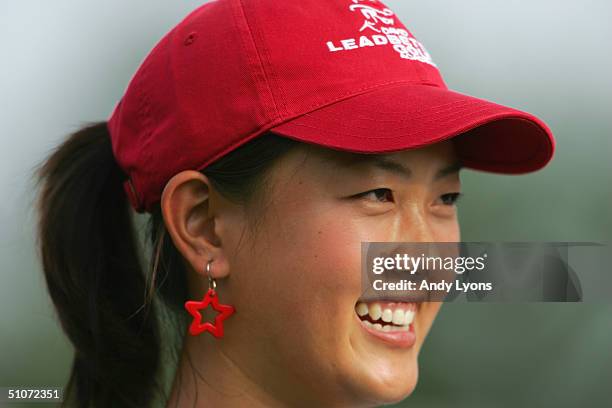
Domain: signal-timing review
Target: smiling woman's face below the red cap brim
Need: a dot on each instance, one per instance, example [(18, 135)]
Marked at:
[(295, 280)]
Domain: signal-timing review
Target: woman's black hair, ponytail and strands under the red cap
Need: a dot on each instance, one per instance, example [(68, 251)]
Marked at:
[(111, 309)]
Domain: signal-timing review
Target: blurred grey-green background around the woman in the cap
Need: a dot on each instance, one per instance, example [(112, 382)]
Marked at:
[(65, 63)]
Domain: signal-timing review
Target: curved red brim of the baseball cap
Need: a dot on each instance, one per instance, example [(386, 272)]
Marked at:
[(489, 137)]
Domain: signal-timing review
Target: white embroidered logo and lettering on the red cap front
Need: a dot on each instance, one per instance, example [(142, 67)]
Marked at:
[(378, 28)]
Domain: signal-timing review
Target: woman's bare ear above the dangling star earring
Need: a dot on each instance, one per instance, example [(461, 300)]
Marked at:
[(186, 209)]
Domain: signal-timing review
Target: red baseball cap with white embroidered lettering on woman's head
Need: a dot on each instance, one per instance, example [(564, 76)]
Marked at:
[(345, 74)]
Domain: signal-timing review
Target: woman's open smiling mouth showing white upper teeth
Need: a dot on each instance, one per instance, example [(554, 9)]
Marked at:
[(389, 322)]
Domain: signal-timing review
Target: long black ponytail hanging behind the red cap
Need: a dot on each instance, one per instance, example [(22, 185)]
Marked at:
[(90, 257)]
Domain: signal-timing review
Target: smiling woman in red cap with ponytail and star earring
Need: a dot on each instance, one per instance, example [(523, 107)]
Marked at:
[(266, 140)]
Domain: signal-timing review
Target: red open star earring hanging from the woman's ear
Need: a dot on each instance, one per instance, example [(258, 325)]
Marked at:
[(211, 298)]
